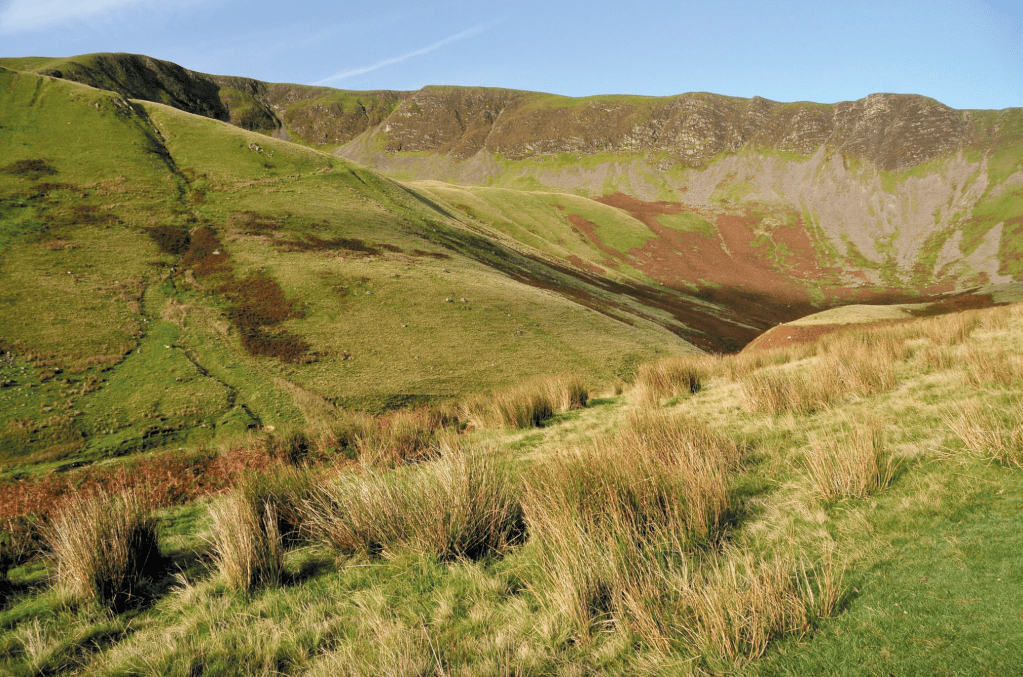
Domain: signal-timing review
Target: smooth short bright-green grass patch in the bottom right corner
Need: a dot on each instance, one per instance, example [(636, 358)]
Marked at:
[(942, 602)]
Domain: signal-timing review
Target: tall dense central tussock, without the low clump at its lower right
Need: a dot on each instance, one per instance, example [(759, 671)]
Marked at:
[(605, 515)]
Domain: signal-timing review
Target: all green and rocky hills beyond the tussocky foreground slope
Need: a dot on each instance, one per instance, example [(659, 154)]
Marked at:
[(182, 275)]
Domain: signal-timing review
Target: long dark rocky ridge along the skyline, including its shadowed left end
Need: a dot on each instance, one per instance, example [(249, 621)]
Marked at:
[(894, 131)]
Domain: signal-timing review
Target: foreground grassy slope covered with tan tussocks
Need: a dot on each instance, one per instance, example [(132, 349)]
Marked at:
[(844, 508)]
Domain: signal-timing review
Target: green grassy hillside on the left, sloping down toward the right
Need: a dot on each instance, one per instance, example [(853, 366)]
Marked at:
[(166, 278)]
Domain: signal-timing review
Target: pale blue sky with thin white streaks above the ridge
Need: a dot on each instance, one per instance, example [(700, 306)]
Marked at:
[(967, 54)]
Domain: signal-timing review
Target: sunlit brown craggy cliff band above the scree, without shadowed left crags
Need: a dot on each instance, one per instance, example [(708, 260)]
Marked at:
[(887, 130)]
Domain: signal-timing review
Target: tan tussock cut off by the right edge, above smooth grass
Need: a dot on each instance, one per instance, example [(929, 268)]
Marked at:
[(989, 432)]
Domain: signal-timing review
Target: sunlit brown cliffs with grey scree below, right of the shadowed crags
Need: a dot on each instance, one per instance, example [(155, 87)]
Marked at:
[(894, 192)]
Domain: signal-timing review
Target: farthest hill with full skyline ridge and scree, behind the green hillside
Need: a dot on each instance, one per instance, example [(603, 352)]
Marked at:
[(888, 194)]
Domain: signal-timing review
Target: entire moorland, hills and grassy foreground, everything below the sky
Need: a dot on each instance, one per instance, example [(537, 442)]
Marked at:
[(464, 381)]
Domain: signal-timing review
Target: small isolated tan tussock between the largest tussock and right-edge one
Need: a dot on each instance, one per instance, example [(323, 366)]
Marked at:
[(853, 466)]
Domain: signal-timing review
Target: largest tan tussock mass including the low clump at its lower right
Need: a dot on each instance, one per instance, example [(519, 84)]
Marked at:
[(620, 527)]
